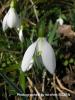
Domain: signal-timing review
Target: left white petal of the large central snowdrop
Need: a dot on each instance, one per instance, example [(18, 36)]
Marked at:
[(28, 56)]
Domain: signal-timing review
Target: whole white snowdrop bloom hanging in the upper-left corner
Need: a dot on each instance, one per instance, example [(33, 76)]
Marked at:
[(11, 19)]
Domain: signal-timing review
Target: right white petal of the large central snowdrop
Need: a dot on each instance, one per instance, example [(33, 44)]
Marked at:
[(47, 54)]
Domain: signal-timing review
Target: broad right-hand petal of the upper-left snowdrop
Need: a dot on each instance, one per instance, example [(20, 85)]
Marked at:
[(13, 18)]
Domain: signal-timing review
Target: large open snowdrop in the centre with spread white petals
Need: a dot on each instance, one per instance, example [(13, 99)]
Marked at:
[(46, 53)]
